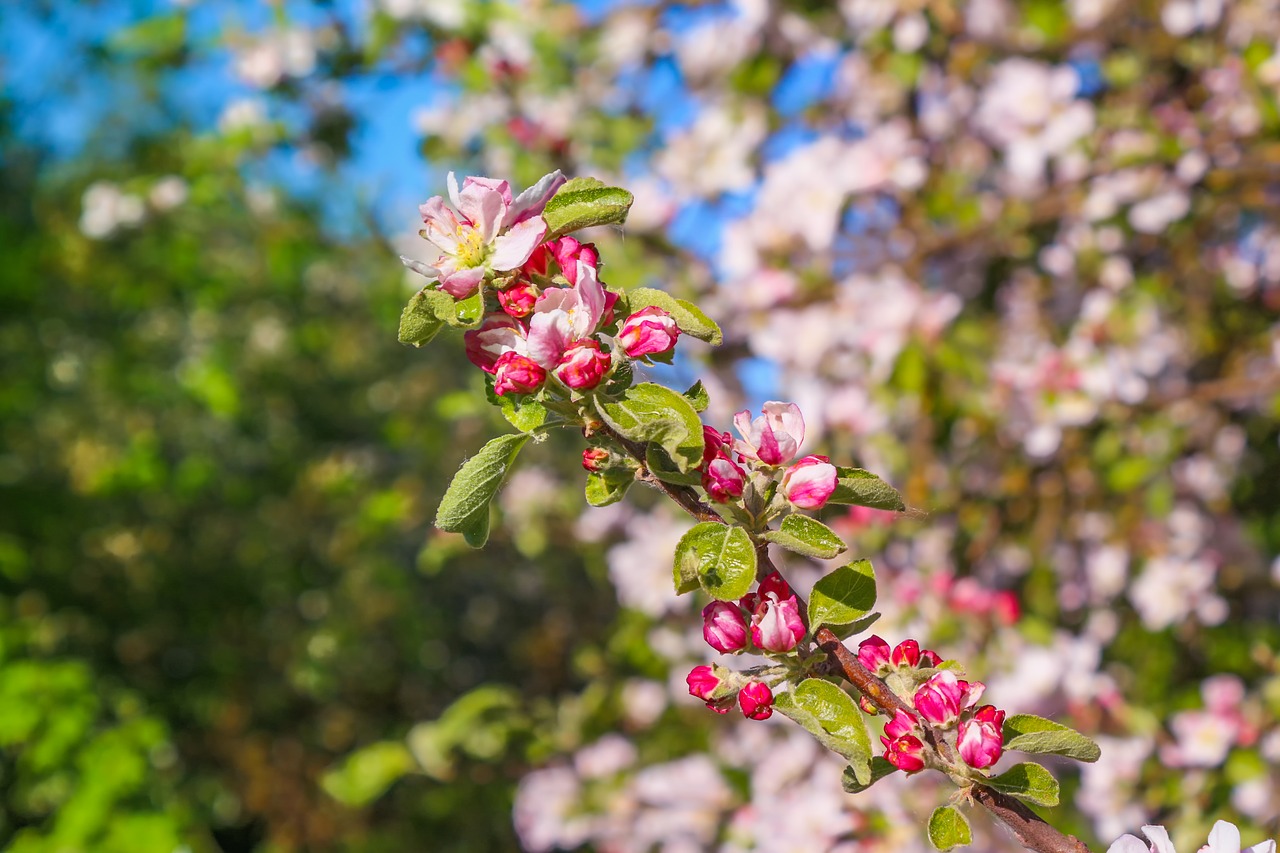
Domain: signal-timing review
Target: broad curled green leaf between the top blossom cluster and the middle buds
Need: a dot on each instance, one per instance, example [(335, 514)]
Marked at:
[(651, 413)]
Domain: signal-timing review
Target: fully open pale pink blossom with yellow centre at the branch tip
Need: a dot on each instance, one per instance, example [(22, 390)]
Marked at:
[(487, 231)]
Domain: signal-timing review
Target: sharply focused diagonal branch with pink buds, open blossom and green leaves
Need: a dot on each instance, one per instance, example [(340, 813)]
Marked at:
[(559, 348)]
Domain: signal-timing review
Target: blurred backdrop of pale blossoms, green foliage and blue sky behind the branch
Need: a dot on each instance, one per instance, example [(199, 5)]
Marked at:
[(1020, 257)]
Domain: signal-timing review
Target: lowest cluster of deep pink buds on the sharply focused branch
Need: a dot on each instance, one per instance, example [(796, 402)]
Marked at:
[(943, 703)]
